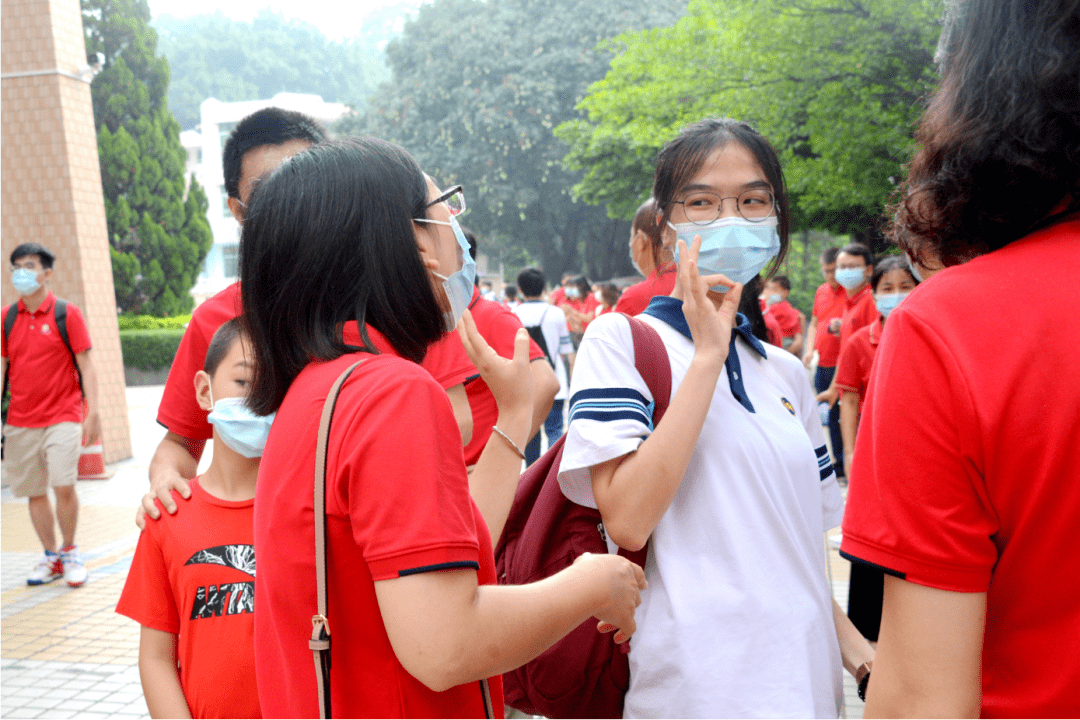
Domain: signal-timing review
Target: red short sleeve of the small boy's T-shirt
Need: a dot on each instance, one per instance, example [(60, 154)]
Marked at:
[(147, 597)]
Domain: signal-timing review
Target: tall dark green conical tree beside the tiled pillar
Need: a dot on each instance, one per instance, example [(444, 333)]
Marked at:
[(158, 229)]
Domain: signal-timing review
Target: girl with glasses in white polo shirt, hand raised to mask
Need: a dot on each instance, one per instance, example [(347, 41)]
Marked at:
[(734, 491)]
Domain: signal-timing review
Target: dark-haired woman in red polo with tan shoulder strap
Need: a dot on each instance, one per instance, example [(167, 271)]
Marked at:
[(353, 234)]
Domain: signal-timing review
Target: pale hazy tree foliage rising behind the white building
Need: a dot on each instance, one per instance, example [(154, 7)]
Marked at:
[(215, 57)]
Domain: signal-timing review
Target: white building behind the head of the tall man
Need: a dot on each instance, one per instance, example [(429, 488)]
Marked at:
[(205, 148)]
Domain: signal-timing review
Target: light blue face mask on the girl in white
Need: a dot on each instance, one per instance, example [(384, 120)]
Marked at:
[(733, 247)]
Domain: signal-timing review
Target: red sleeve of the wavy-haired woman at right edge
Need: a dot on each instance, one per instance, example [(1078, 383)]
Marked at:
[(917, 505)]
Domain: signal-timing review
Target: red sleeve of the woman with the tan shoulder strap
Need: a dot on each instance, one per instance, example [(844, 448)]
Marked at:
[(401, 474)]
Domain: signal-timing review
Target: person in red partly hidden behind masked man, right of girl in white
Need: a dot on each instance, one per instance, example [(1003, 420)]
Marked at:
[(823, 336)]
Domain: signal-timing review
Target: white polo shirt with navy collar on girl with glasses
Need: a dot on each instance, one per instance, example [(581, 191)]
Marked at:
[(738, 618)]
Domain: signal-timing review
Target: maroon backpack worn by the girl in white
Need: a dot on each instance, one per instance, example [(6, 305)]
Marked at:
[(585, 675)]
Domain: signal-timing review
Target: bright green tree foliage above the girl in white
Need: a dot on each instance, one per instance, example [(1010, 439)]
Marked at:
[(836, 86)]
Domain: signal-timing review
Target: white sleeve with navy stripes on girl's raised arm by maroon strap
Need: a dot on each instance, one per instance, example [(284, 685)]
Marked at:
[(611, 406)]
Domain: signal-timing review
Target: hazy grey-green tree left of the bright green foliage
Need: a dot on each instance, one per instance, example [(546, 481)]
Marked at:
[(477, 91)]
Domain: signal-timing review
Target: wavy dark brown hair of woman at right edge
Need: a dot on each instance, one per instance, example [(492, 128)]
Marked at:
[(1000, 146)]
